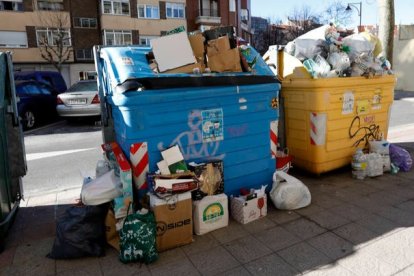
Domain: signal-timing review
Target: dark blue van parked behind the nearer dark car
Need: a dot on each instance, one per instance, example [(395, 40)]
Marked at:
[(51, 78)]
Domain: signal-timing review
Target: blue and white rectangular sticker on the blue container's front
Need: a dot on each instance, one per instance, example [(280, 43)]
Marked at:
[(212, 126)]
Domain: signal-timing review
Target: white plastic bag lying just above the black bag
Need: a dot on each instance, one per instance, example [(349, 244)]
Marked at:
[(101, 189)]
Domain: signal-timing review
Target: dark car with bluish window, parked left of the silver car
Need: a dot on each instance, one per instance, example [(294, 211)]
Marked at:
[(37, 101)]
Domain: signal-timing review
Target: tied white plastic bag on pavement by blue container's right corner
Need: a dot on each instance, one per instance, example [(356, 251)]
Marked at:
[(288, 192)]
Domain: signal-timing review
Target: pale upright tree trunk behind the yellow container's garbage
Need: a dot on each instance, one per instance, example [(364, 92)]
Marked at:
[(386, 27)]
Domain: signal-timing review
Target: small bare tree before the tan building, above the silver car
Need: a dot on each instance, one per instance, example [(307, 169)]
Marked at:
[(54, 39)]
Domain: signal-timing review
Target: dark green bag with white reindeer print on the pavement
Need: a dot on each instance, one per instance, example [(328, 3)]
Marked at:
[(138, 239)]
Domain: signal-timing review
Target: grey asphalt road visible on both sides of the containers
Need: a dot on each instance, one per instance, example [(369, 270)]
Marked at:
[(61, 154)]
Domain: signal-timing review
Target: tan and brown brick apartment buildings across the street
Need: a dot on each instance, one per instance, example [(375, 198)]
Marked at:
[(24, 24)]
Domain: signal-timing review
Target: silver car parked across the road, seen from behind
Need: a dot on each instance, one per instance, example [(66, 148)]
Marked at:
[(80, 100)]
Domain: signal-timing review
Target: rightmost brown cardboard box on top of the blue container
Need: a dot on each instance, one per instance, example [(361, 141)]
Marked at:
[(228, 61)]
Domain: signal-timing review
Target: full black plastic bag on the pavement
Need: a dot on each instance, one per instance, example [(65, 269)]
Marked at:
[(80, 232)]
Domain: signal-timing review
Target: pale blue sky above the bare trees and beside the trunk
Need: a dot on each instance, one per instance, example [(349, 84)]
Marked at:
[(279, 9)]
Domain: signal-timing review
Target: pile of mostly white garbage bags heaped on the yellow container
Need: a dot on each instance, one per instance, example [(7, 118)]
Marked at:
[(325, 54)]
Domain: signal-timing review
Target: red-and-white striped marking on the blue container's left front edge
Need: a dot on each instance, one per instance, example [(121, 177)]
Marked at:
[(140, 164)]
